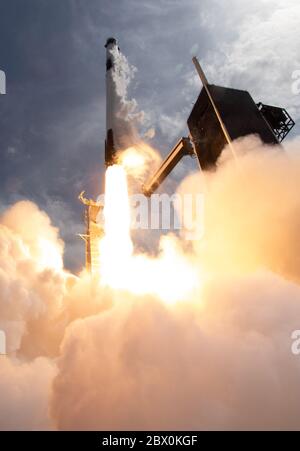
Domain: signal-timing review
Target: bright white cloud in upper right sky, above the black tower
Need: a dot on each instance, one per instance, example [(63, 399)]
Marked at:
[(257, 50)]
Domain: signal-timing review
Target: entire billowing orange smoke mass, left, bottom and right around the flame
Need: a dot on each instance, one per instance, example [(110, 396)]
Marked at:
[(86, 357)]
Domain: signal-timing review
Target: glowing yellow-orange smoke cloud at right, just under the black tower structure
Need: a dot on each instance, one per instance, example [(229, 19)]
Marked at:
[(252, 211)]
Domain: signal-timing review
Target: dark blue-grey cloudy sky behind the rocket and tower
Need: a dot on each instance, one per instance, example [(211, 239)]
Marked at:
[(52, 118)]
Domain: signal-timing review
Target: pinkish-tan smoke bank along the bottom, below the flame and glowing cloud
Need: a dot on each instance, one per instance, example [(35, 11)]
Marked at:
[(223, 362)]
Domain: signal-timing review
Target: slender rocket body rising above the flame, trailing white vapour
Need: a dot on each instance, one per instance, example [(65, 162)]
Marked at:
[(112, 55)]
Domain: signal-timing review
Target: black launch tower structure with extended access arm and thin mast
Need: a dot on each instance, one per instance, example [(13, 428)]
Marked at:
[(220, 116)]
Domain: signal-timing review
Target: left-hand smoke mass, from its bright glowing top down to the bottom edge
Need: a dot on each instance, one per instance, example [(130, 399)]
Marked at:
[(37, 302)]
